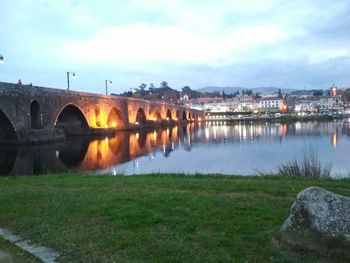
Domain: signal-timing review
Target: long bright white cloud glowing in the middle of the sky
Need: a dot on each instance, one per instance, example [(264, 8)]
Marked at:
[(146, 44)]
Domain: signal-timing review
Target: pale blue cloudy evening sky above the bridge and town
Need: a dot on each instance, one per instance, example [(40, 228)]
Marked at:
[(280, 43)]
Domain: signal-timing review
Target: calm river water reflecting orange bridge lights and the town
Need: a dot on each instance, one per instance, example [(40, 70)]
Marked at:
[(218, 147)]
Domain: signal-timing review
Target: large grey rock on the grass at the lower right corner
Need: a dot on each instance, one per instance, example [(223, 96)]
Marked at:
[(319, 220)]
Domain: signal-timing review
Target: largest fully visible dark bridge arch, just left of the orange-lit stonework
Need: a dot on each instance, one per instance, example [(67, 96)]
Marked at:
[(72, 120)]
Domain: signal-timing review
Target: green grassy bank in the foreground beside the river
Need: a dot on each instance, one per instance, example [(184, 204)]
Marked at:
[(154, 218)]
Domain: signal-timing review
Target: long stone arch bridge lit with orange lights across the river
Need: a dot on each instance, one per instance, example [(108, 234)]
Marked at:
[(32, 114)]
